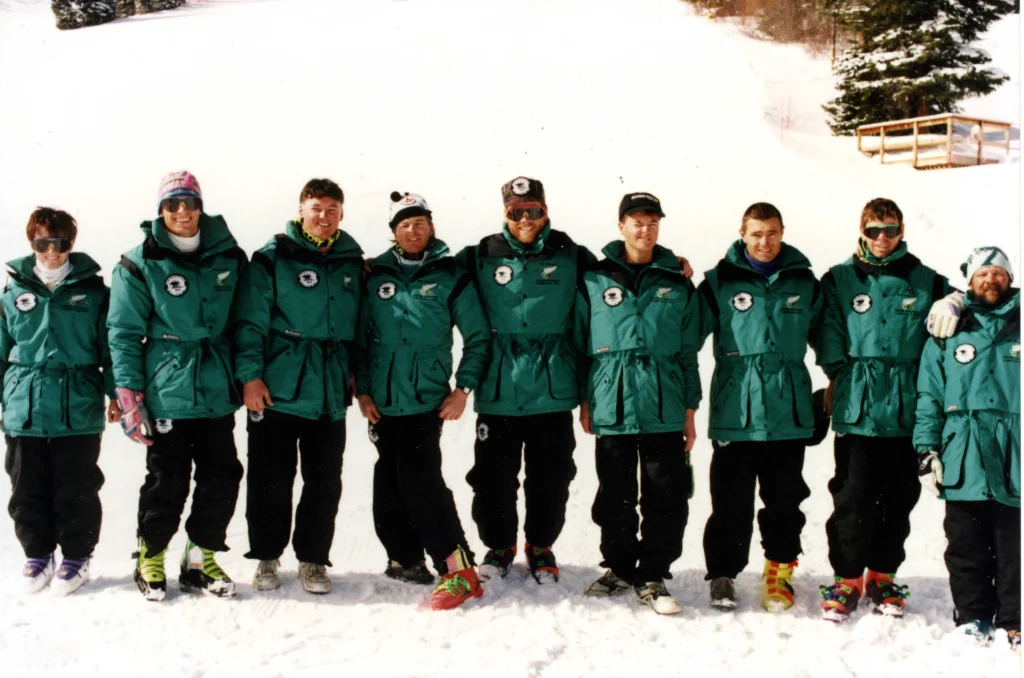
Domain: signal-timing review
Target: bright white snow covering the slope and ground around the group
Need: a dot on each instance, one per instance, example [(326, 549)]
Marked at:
[(595, 98)]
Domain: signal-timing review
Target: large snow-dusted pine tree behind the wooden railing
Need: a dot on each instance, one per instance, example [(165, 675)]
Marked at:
[(914, 59)]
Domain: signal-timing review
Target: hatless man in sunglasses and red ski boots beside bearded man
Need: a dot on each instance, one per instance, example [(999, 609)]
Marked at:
[(871, 344)]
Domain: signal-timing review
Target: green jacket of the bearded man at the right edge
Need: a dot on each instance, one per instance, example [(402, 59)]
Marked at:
[(969, 405)]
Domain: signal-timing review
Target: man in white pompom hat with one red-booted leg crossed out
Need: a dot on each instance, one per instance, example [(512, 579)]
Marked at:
[(414, 295)]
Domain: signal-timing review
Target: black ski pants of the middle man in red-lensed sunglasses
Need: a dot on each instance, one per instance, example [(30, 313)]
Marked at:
[(547, 443)]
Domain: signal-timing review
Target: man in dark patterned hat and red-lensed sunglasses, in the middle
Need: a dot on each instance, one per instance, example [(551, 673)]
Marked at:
[(527, 278)]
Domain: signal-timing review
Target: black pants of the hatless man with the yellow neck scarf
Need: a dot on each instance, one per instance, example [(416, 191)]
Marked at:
[(279, 443)]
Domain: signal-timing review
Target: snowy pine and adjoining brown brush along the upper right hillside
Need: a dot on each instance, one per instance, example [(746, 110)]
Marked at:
[(897, 59)]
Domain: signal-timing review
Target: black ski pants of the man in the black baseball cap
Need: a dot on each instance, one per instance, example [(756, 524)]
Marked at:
[(666, 482)]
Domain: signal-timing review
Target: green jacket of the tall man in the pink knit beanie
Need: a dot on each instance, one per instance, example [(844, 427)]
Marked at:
[(169, 322)]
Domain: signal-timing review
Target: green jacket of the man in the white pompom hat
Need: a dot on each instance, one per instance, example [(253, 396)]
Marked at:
[(406, 328)]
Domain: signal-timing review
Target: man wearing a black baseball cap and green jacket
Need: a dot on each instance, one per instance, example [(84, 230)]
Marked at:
[(637, 323)]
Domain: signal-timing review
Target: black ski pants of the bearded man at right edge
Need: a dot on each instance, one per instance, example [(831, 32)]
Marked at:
[(984, 557)]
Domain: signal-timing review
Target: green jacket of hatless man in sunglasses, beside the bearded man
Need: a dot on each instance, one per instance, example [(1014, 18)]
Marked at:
[(872, 338)]
